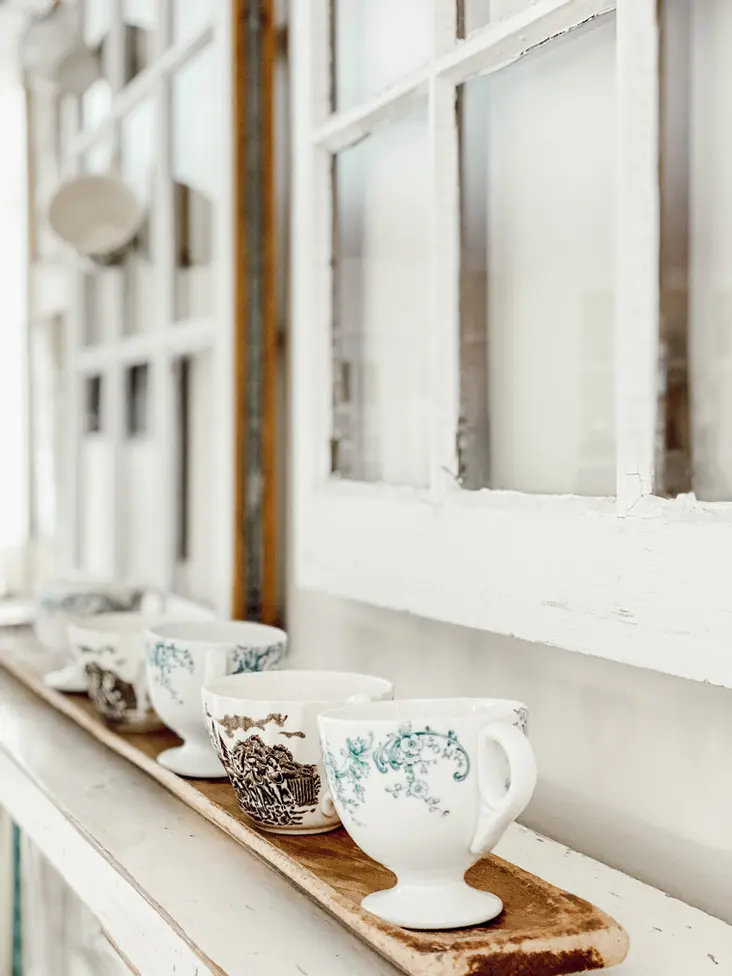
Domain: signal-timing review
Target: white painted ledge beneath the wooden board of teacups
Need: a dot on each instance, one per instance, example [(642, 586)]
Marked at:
[(175, 894)]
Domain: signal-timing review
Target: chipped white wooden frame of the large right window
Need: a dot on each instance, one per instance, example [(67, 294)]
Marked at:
[(636, 579)]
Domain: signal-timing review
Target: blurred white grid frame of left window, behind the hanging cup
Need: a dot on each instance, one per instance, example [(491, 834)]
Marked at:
[(172, 338)]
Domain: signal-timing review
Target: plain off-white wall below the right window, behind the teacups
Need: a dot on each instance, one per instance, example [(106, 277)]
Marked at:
[(634, 766)]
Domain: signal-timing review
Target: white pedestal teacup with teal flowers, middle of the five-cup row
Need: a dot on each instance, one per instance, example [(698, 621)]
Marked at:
[(182, 657)]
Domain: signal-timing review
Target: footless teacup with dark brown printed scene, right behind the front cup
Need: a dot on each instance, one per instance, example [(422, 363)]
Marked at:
[(264, 729)]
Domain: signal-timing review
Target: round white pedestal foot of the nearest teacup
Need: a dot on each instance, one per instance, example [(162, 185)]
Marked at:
[(450, 905)]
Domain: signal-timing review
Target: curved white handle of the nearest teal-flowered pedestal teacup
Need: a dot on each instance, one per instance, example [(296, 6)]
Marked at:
[(497, 813)]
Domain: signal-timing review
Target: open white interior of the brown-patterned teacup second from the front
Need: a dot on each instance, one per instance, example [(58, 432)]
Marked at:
[(297, 686)]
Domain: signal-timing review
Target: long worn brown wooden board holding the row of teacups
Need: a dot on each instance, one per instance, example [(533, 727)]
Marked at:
[(543, 930)]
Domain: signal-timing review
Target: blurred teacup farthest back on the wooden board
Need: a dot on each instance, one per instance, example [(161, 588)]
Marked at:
[(62, 600)]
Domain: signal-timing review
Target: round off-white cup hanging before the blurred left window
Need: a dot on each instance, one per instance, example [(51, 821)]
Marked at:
[(98, 215)]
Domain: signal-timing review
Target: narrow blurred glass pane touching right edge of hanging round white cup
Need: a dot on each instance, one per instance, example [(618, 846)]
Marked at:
[(137, 153)]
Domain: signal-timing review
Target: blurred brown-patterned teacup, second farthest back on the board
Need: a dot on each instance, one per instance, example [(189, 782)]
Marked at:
[(111, 649)]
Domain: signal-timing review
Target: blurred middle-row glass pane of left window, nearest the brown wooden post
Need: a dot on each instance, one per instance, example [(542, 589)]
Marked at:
[(197, 130)]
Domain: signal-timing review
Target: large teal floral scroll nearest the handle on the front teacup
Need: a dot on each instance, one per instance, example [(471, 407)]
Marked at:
[(413, 753)]
